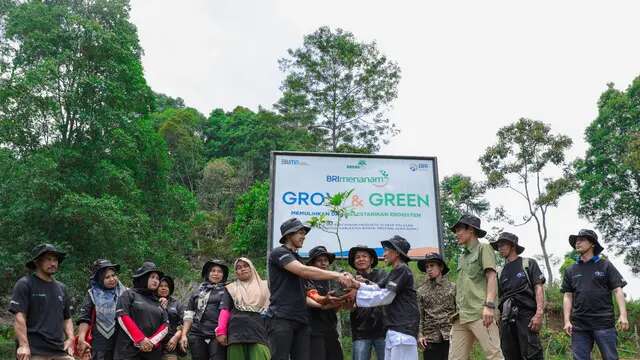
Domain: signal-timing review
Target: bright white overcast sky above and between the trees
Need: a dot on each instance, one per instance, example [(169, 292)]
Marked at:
[(468, 69)]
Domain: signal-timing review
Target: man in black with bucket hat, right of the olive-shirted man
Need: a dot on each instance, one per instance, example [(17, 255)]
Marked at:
[(520, 285)]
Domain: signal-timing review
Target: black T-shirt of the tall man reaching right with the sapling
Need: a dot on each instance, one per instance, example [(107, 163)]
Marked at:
[(287, 289)]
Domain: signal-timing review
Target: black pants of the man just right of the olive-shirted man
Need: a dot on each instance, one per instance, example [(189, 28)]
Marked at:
[(517, 341)]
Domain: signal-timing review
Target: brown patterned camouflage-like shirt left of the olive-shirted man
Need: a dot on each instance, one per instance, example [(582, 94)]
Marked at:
[(437, 301)]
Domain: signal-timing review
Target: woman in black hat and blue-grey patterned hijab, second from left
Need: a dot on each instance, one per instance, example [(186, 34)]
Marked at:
[(97, 321)]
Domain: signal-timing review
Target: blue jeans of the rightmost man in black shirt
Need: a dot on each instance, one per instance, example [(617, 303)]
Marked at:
[(582, 343)]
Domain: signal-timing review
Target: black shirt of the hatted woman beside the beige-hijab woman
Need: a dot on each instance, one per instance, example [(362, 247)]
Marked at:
[(209, 320)]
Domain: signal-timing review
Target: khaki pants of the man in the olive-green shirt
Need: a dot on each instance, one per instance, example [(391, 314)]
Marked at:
[(464, 335)]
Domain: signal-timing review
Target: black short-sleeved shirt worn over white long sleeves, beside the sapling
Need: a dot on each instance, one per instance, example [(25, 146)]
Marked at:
[(402, 315)]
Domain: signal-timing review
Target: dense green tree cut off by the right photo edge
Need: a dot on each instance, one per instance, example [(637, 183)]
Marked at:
[(609, 174)]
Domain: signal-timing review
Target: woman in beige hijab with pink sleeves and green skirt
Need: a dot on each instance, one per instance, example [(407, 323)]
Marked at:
[(248, 297)]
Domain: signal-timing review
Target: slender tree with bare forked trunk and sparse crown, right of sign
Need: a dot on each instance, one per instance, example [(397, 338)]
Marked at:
[(522, 161)]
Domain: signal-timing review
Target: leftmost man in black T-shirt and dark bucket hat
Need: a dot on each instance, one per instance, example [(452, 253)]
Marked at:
[(42, 309)]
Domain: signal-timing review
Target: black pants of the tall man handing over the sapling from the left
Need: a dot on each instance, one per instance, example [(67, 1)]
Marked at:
[(289, 338)]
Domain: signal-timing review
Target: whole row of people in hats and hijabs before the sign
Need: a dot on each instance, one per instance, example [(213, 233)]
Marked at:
[(293, 315)]
